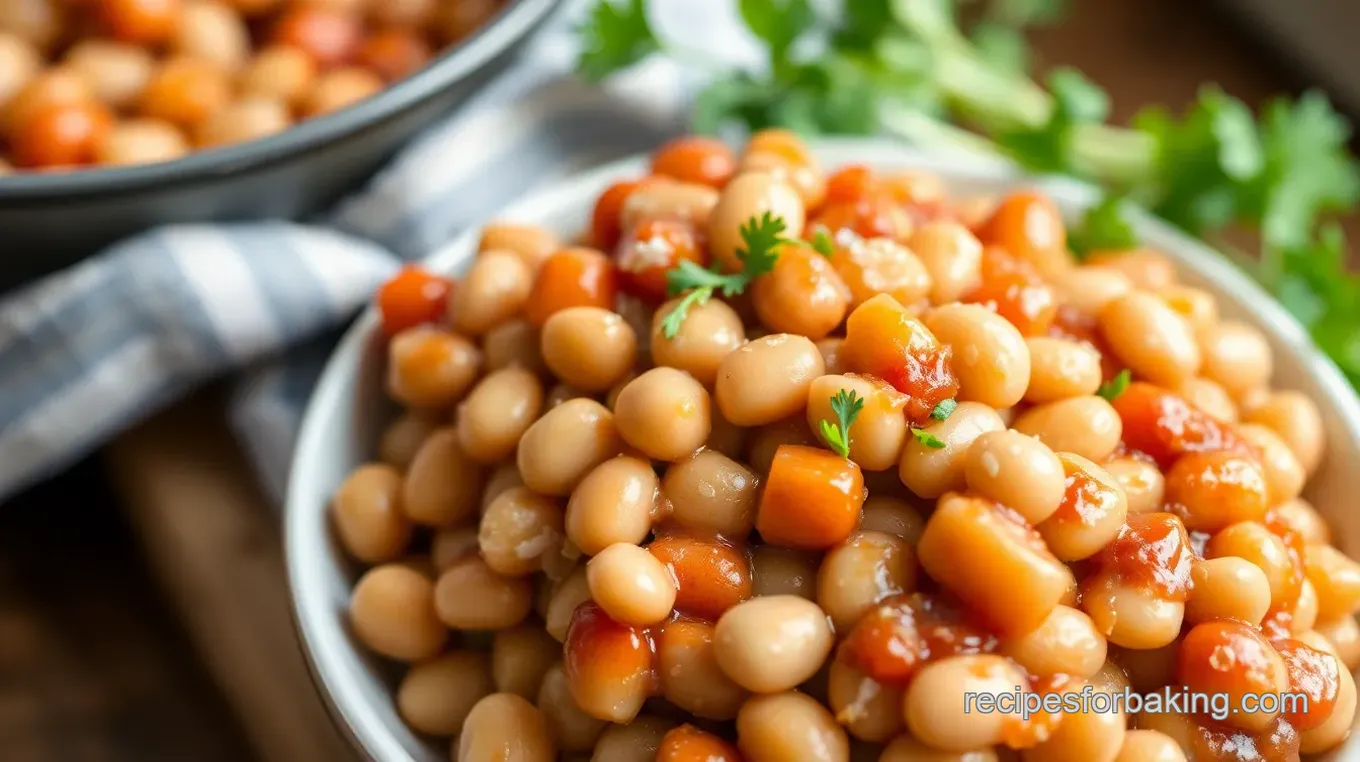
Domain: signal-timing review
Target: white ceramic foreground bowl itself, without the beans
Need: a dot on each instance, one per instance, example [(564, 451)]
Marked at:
[(347, 413)]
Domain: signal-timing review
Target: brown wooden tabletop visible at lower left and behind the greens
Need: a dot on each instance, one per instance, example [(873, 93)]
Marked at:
[(99, 680)]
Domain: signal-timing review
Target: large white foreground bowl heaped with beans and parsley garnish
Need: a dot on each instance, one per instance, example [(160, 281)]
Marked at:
[(828, 454)]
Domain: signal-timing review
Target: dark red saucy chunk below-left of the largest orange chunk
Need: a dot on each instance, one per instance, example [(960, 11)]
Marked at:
[(901, 635)]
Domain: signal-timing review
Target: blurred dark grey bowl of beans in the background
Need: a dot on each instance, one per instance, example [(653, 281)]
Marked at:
[(123, 115)]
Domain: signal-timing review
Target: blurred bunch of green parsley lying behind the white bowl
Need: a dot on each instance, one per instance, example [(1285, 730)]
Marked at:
[(911, 70)]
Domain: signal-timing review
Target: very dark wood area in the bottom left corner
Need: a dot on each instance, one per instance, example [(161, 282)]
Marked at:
[(93, 666)]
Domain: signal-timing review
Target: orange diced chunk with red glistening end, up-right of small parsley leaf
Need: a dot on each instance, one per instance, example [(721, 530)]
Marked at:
[(883, 339)]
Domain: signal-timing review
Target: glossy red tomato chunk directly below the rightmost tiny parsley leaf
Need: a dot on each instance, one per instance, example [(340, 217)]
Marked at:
[(1166, 427)]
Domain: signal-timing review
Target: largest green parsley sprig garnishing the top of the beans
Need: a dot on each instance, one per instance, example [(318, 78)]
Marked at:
[(760, 251)]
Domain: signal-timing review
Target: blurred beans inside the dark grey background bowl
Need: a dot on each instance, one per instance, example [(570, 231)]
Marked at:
[(129, 82)]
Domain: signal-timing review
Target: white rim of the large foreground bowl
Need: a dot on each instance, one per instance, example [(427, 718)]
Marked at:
[(318, 628)]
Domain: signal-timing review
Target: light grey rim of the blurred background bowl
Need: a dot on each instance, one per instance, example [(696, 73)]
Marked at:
[(511, 25)]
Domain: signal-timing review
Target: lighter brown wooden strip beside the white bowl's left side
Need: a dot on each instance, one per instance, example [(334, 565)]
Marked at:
[(216, 545)]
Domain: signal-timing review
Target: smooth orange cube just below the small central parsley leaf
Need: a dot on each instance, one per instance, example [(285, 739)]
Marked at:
[(811, 500)]
